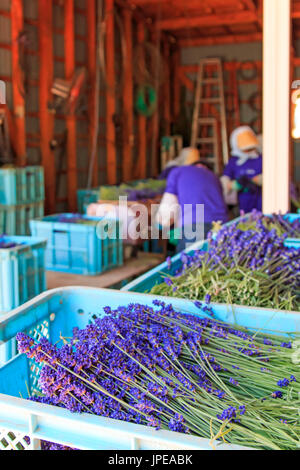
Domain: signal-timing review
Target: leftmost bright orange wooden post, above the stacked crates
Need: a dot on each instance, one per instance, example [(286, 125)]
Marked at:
[(17, 25)]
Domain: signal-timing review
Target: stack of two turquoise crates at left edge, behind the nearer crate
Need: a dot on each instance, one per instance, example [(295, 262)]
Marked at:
[(22, 197)]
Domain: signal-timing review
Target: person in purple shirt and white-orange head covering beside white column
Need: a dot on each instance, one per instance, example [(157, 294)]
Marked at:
[(243, 173)]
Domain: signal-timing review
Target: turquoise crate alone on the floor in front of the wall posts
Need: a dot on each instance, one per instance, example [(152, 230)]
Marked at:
[(76, 247)]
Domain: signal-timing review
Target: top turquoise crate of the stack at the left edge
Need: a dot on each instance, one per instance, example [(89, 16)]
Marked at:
[(21, 185)]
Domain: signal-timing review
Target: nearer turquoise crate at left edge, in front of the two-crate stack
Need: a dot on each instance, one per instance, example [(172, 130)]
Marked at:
[(22, 271)]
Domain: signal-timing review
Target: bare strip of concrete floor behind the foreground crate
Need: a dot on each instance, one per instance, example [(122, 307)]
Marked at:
[(131, 269)]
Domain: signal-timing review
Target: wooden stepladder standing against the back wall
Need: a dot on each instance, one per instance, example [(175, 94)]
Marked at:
[(208, 107)]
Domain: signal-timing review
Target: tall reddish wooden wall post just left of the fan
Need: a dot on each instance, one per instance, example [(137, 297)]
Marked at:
[(46, 118)]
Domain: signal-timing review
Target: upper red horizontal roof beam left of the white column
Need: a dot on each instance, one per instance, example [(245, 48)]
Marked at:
[(243, 17)]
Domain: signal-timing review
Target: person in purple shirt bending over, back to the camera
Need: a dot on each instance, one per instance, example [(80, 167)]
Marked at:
[(190, 187)]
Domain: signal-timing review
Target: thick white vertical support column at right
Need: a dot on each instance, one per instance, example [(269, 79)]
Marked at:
[(277, 105)]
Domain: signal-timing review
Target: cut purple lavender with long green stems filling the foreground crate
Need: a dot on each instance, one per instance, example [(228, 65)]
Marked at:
[(169, 370)]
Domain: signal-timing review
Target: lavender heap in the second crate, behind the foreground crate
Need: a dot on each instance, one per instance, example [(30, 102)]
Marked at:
[(245, 267)]
